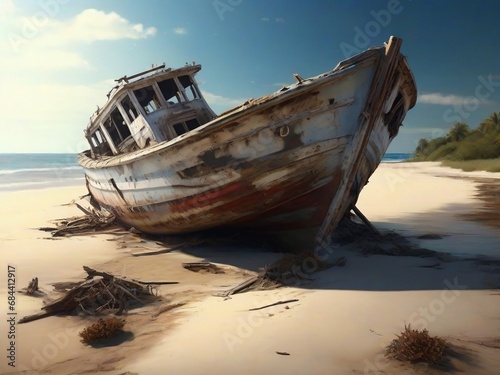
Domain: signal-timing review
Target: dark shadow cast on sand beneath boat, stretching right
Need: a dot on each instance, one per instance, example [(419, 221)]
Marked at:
[(357, 259)]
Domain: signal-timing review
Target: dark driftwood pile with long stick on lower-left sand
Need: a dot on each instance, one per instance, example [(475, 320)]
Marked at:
[(100, 293)]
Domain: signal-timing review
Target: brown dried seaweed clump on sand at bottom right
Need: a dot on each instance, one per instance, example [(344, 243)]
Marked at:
[(416, 346)]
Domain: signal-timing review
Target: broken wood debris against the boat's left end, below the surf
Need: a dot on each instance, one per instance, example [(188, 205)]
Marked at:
[(92, 221)]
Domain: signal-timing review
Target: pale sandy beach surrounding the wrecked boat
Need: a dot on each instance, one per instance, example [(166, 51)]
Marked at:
[(343, 318)]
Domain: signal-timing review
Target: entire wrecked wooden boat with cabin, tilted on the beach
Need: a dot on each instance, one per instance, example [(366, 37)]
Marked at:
[(291, 163)]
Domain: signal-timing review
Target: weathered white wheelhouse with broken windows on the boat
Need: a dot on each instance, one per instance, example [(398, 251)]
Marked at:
[(146, 109)]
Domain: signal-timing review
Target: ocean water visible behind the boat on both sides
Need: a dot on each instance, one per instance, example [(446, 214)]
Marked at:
[(32, 171)]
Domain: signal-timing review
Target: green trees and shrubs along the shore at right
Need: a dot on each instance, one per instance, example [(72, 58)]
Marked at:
[(463, 143)]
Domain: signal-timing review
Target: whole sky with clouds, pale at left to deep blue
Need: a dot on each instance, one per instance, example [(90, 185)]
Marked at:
[(60, 57)]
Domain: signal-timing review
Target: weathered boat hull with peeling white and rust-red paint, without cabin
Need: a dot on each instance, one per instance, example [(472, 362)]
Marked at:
[(273, 164)]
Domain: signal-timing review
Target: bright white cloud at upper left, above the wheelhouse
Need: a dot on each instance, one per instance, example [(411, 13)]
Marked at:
[(52, 43)]
